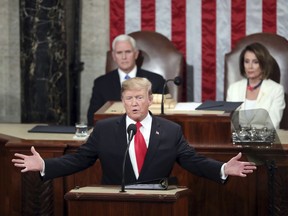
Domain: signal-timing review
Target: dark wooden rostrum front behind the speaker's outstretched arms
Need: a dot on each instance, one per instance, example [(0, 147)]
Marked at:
[(239, 196)]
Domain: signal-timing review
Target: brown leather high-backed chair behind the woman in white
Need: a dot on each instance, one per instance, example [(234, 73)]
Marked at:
[(278, 48)]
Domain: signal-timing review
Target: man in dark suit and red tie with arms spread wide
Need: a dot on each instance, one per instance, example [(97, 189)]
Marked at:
[(164, 144)]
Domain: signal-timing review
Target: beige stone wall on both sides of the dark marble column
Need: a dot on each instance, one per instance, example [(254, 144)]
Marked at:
[(94, 44)]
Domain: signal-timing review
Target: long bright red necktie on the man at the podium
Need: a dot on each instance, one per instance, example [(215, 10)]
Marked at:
[(140, 147)]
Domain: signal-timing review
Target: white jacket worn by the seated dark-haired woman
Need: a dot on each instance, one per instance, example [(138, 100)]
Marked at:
[(270, 98)]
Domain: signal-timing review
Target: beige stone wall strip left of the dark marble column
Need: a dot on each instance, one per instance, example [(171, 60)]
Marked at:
[(10, 100)]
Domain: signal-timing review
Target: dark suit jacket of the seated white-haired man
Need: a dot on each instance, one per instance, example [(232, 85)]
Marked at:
[(107, 88)]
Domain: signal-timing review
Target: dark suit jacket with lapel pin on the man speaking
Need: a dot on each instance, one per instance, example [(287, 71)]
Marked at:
[(108, 143)]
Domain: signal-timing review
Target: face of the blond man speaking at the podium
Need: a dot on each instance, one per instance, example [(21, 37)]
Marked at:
[(136, 103)]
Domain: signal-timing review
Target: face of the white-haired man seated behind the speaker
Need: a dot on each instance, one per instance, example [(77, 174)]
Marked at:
[(125, 56)]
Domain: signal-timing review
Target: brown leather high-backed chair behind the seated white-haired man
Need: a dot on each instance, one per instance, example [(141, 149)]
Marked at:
[(159, 55)]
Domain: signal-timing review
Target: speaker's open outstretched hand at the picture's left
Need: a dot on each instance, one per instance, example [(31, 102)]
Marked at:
[(32, 162)]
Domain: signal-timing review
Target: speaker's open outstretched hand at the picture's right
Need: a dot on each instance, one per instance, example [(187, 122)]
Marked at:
[(235, 167)]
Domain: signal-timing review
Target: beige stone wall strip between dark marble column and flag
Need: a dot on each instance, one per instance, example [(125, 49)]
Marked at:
[(94, 45)]
